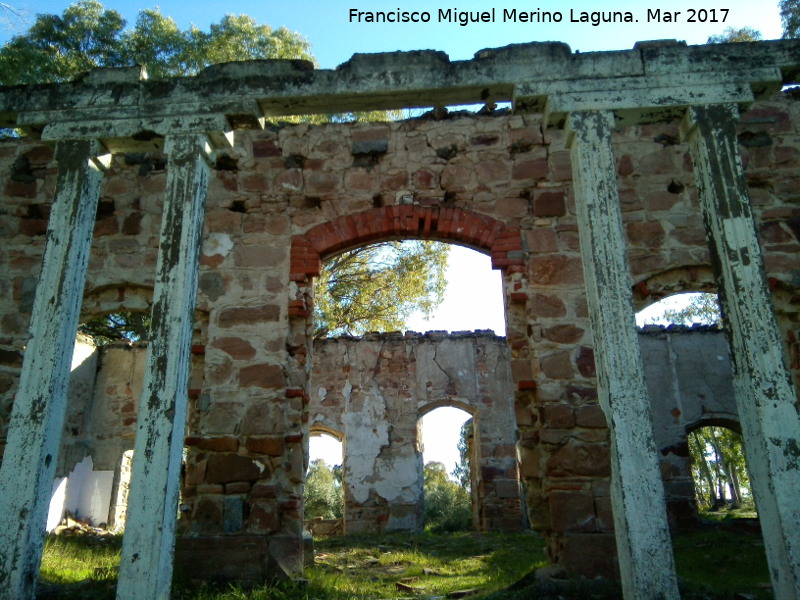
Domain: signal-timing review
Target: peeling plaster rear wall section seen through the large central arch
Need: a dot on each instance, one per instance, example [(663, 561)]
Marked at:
[(375, 390)]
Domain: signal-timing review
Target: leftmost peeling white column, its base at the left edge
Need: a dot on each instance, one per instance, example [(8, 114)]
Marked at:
[(34, 433)]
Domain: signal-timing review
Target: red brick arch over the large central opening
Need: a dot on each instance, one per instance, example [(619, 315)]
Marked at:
[(502, 242)]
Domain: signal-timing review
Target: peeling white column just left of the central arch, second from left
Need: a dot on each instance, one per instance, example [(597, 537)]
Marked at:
[(149, 541)]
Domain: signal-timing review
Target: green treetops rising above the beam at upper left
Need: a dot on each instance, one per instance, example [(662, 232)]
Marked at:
[(58, 48)]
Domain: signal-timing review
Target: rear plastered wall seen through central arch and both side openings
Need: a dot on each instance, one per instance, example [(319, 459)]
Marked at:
[(373, 391)]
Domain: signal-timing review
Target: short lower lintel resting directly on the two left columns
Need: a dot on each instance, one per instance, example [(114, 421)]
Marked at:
[(139, 135)]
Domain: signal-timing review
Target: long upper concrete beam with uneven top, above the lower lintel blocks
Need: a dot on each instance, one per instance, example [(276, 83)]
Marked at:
[(382, 81)]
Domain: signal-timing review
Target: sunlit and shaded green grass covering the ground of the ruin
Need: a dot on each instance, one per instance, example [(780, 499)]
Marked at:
[(712, 565)]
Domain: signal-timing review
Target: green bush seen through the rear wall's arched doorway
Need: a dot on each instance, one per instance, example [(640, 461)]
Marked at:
[(448, 505)]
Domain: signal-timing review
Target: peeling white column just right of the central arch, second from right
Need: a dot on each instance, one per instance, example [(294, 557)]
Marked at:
[(637, 494)]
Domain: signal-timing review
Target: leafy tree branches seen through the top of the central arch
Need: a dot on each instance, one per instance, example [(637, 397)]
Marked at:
[(377, 288)]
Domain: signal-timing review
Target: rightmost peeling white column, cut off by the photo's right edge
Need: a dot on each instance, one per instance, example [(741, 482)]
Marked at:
[(768, 408)]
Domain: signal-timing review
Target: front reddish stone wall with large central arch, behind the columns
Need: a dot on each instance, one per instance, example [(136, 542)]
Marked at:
[(502, 184)]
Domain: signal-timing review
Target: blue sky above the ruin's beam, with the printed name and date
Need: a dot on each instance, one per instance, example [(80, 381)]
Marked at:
[(334, 38)]
